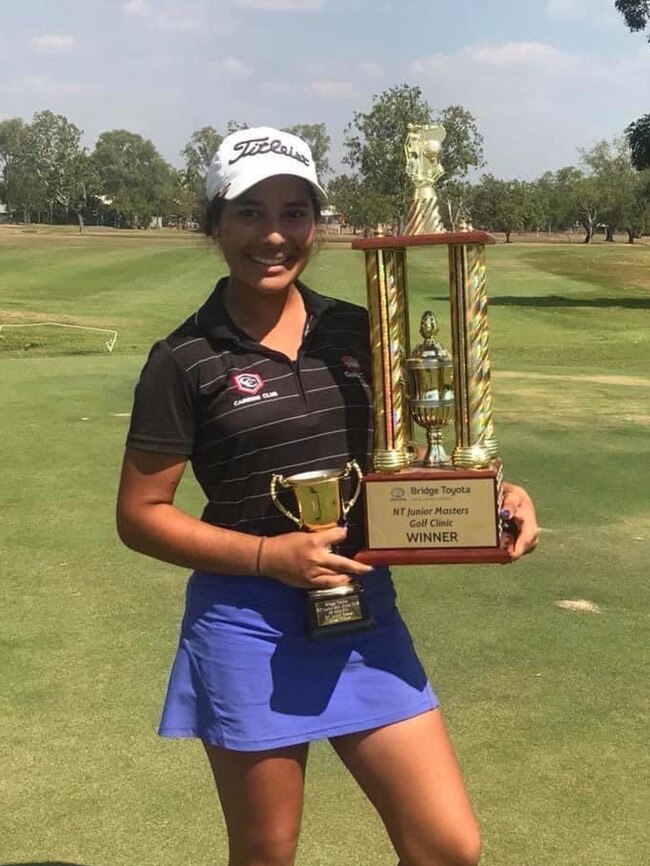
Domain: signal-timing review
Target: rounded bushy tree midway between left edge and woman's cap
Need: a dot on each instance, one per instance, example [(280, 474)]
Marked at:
[(134, 176)]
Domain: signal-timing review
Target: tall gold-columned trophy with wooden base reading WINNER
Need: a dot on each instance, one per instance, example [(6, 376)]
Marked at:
[(439, 509)]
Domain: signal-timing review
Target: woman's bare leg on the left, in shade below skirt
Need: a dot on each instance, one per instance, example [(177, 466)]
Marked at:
[(261, 795)]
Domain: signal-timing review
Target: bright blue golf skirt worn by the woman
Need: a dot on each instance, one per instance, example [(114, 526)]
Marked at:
[(246, 677)]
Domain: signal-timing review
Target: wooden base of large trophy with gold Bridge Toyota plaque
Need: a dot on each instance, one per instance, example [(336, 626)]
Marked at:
[(430, 516)]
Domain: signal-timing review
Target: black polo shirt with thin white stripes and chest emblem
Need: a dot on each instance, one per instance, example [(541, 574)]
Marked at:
[(240, 411)]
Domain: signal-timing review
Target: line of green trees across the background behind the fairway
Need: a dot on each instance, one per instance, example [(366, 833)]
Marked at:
[(46, 174)]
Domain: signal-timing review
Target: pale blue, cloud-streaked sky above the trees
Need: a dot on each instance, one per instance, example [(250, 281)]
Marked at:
[(542, 77)]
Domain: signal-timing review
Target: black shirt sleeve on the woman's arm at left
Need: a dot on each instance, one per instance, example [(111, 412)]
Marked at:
[(163, 418)]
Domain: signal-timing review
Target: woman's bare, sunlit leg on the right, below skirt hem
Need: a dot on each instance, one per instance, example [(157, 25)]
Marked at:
[(409, 772)]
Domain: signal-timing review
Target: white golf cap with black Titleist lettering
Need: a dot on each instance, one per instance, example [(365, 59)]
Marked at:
[(249, 156)]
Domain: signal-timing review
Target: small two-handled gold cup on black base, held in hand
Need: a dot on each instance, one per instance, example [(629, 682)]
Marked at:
[(317, 495)]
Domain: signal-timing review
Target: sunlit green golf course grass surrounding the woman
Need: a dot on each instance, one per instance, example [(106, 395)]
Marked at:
[(548, 706)]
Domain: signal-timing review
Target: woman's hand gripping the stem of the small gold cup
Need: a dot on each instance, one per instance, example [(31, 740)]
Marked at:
[(306, 559)]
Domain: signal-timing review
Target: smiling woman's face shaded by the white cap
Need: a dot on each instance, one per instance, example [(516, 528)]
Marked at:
[(266, 234)]
